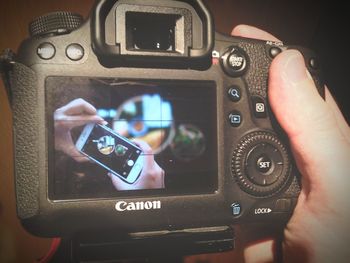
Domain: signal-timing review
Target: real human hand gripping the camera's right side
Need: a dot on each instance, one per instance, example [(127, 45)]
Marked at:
[(319, 229)]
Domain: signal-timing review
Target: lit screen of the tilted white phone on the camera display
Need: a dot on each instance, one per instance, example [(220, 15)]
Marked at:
[(111, 150)]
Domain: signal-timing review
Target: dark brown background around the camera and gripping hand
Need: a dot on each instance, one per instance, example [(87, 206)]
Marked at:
[(320, 26)]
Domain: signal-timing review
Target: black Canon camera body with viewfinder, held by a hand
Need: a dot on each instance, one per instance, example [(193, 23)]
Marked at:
[(225, 159)]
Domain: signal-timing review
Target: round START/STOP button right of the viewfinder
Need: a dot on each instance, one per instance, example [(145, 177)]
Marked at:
[(234, 61)]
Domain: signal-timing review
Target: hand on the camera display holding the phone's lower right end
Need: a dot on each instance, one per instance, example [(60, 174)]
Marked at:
[(152, 176)]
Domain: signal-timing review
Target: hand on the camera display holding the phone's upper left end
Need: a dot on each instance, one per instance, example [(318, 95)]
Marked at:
[(76, 113)]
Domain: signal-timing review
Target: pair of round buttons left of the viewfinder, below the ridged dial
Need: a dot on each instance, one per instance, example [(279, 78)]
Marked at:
[(47, 51)]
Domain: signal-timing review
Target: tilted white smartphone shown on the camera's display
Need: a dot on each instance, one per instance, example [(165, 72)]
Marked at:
[(113, 152)]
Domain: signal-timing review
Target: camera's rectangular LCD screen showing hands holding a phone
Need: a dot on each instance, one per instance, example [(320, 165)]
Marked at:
[(112, 137)]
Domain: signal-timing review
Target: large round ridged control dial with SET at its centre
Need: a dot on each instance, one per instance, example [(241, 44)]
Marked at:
[(261, 164)]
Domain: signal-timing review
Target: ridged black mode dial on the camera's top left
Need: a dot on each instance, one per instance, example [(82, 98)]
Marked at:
[(55, 23)]
